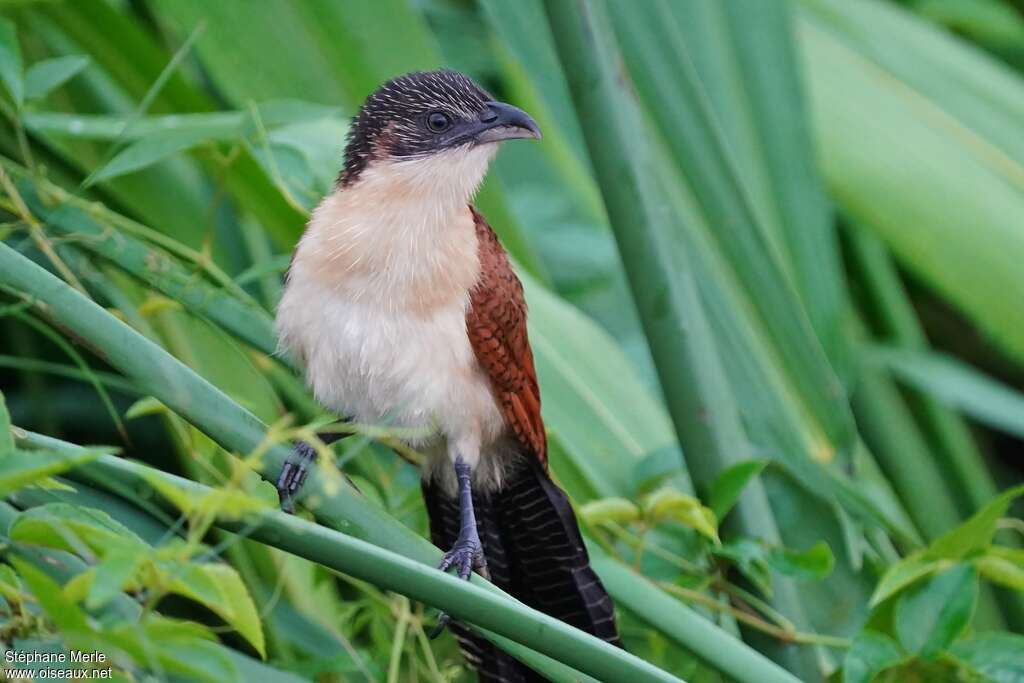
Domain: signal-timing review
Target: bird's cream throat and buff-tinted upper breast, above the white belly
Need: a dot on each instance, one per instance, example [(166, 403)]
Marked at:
[(402, 235)]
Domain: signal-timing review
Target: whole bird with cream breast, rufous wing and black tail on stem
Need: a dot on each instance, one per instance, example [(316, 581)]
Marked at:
[(403, 309)]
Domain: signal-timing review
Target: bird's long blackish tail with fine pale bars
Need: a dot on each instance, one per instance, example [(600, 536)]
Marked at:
[(535, 552)]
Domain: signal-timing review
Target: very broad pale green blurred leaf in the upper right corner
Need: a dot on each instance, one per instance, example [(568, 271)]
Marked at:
[(941, 151)]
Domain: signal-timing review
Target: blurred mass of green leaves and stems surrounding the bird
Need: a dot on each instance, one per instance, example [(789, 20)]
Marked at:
[(775, 258)]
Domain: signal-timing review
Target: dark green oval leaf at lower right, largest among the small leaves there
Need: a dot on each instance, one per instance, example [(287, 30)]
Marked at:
[(933, 615)]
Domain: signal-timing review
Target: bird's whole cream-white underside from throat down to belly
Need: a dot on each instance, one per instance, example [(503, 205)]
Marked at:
[(376, 301)]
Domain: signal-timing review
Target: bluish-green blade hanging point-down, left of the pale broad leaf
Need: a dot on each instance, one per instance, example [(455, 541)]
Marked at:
[(745, 58)]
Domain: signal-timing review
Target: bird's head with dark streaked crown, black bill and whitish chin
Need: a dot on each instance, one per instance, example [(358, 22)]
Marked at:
[(439, 130)]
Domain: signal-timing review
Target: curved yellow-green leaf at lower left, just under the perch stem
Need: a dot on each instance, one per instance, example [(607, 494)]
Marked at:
[(221, 589)]
